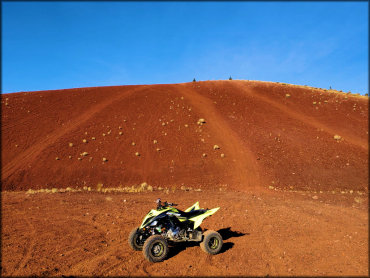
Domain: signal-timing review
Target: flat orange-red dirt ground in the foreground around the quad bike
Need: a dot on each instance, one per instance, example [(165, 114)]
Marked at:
[(265, 233)]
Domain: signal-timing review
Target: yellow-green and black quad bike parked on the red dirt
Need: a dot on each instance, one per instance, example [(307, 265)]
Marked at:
[(168, 224)]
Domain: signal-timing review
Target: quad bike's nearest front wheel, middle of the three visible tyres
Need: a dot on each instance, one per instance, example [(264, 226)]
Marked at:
[(155, 249)]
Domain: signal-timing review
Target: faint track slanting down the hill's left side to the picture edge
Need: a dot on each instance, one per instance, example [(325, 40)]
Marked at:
[(32, 152)]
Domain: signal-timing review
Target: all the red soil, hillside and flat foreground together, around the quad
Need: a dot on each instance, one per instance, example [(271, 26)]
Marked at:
[(314, 221)]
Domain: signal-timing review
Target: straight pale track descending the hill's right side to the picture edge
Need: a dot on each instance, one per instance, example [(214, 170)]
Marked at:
[(308, 120)]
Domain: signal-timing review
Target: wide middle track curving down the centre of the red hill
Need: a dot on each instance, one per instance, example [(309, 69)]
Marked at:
[(246, 169)]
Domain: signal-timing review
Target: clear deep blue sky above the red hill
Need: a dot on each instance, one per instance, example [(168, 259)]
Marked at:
[(59, 45)]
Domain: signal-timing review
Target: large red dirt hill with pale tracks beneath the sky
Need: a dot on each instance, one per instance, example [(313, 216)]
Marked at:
[(270, 134)]
